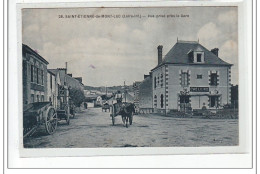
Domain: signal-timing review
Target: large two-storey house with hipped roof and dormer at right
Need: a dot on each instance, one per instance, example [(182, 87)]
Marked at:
[(190, 77)]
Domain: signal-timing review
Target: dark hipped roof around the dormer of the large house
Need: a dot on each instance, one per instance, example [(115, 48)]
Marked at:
[(179, 54)]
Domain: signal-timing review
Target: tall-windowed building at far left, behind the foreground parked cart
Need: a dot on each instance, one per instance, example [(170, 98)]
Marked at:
[(34, 76)]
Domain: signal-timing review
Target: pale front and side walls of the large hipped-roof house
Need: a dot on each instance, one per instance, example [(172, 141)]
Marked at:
[(169, 88)]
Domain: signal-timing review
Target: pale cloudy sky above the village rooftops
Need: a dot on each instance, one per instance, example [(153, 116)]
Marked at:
[(109, 51)]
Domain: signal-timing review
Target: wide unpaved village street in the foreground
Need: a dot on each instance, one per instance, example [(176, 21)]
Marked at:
[(93, 128)]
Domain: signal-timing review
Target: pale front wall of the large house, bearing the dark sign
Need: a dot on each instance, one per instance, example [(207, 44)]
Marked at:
[(174, 84)]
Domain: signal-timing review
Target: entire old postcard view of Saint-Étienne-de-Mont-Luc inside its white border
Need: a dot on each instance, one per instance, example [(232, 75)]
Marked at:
[(130, 77)]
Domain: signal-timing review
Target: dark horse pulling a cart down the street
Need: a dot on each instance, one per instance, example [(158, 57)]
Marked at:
[(126, 111)]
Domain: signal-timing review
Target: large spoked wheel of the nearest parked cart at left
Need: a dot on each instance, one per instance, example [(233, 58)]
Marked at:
[(50, 121)]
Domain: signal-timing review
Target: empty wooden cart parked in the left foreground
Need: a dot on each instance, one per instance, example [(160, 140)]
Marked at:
[(39, 114)]
